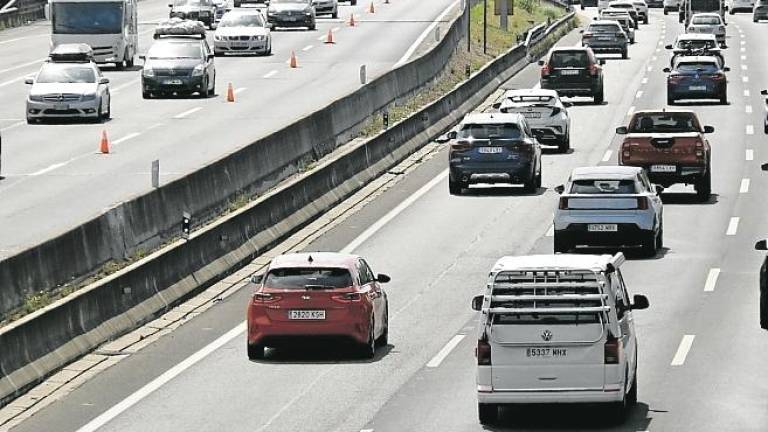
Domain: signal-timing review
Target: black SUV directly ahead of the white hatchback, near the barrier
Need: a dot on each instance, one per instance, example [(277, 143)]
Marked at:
[(573, 72)]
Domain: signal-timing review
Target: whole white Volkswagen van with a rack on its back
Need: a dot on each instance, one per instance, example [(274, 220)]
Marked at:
[(557, 329)]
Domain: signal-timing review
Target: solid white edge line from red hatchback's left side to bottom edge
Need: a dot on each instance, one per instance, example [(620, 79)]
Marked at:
[(158, 382)]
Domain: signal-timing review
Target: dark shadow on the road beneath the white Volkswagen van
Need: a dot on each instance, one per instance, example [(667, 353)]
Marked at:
[(582, 417)]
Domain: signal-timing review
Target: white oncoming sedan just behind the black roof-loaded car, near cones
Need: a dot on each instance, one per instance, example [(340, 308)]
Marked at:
[(242, 31)]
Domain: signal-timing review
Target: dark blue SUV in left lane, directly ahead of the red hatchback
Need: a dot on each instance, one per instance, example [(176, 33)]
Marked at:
[(493, 148)]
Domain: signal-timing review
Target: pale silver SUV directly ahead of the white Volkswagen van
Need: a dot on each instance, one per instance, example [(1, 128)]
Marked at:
[(613, 206)]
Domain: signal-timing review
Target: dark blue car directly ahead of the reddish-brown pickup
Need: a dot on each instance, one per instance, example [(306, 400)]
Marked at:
[(697, 77)]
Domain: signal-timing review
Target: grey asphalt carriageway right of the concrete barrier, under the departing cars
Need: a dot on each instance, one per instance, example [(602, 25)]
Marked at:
[(701, 351)]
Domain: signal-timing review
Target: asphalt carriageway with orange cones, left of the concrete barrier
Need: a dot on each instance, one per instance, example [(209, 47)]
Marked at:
[(56, 166)]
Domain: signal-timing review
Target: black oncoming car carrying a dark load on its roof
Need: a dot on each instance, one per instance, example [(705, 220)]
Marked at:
[(179, 63)]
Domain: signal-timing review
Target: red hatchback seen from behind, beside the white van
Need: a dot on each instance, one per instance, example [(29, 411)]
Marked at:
[(318, 294)]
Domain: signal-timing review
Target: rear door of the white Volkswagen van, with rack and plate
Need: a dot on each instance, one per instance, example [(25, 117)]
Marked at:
[(547, 331)]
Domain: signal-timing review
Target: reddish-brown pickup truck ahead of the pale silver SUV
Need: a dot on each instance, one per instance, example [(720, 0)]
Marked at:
[(671, 146)]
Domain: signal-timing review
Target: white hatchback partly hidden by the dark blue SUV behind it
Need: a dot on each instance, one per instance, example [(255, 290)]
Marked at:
[(545, 113)]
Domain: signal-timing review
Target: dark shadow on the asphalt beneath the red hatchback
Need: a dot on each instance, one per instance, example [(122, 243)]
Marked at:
[(321, 353)]
